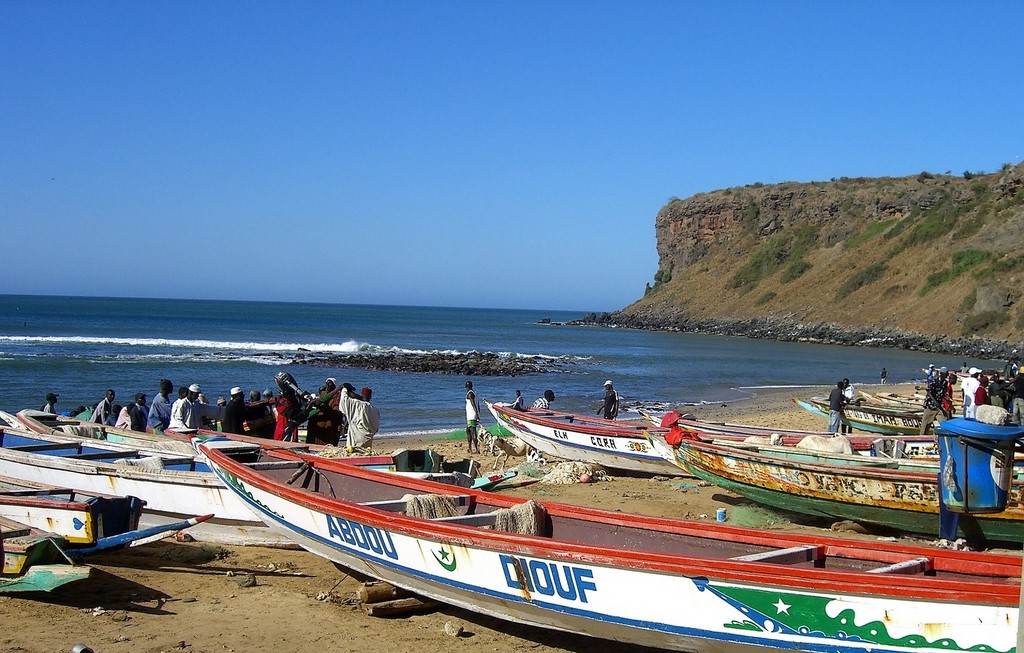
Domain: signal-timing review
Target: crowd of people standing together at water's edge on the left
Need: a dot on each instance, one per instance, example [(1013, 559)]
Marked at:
[(334, 413)]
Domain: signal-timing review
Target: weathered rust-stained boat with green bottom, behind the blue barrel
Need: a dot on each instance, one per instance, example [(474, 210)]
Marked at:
[(902, 494)]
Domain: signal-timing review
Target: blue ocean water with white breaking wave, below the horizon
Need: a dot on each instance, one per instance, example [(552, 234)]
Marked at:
[(80, 346)]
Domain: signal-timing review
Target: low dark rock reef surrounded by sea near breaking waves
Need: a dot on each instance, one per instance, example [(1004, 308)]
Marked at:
[(467, 365)]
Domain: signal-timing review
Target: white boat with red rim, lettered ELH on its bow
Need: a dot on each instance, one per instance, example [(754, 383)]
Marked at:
[(619, 446)]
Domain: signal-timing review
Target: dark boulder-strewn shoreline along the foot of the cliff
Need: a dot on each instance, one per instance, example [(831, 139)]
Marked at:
[(791, 331)]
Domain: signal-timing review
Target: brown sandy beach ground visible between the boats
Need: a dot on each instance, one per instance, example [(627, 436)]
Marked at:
[(192, 597)]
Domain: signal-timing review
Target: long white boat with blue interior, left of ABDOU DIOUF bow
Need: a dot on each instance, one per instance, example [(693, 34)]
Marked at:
[(174, 487)]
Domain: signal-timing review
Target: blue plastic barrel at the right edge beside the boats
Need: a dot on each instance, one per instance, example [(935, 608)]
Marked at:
[(976, 465)]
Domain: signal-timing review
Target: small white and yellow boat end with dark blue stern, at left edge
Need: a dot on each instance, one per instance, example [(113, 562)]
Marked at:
[(81, 518)]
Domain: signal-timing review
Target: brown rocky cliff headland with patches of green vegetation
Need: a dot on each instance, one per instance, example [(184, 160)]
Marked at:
[(932, 262)]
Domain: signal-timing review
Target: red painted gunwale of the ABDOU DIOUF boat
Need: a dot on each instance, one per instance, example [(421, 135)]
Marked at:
[(1000, 590)]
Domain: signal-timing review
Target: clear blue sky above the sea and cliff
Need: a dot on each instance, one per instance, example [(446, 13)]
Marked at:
[(456, 154)]
